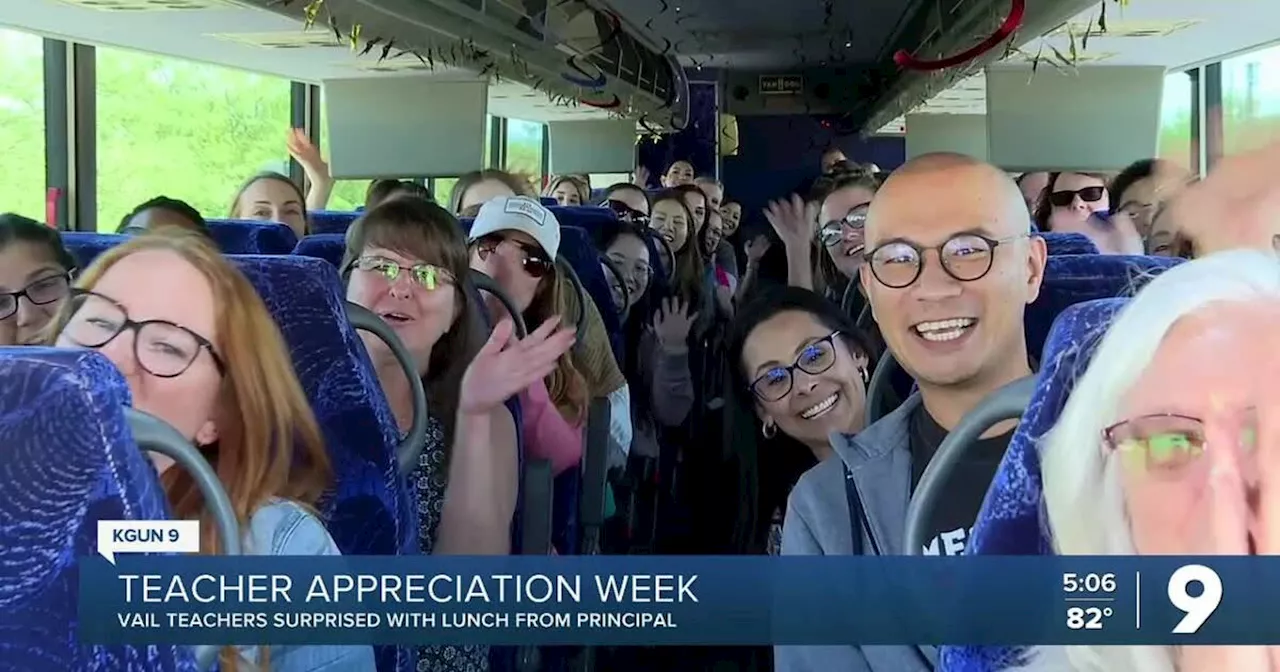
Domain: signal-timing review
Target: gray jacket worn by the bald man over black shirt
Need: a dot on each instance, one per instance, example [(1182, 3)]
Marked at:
[(819, 524)]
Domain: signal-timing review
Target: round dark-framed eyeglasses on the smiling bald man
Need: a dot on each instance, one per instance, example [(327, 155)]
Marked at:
[(964, 257)]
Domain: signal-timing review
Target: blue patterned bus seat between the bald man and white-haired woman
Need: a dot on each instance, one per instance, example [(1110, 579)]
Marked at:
[(1011, 523)]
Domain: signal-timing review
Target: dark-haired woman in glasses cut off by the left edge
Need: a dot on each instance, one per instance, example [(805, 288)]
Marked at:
[(35, 278)]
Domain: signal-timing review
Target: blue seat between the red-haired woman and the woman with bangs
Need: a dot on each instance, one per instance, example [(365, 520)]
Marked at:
[(371, 510)]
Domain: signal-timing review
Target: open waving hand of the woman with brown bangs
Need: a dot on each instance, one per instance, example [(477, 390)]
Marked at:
[(506, 365)]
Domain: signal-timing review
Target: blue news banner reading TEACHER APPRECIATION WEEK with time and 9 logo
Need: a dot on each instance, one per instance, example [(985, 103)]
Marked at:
[(656, 601)]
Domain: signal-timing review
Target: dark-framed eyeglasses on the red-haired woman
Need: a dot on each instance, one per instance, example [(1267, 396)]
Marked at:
[(161, 348)]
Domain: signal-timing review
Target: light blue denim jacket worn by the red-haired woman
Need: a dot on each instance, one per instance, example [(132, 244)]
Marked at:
[(284, 528)]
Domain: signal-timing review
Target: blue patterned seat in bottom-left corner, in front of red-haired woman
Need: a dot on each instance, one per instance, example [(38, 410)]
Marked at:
[(65, 408)]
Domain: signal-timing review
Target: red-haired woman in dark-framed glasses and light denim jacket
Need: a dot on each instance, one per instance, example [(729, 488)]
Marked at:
[(200, 351)]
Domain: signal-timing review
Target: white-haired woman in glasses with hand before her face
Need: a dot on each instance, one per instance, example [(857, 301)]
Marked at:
[(1174, 450)]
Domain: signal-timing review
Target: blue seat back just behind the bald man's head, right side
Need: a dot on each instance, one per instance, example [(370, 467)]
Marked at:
[(1077, 278)]
